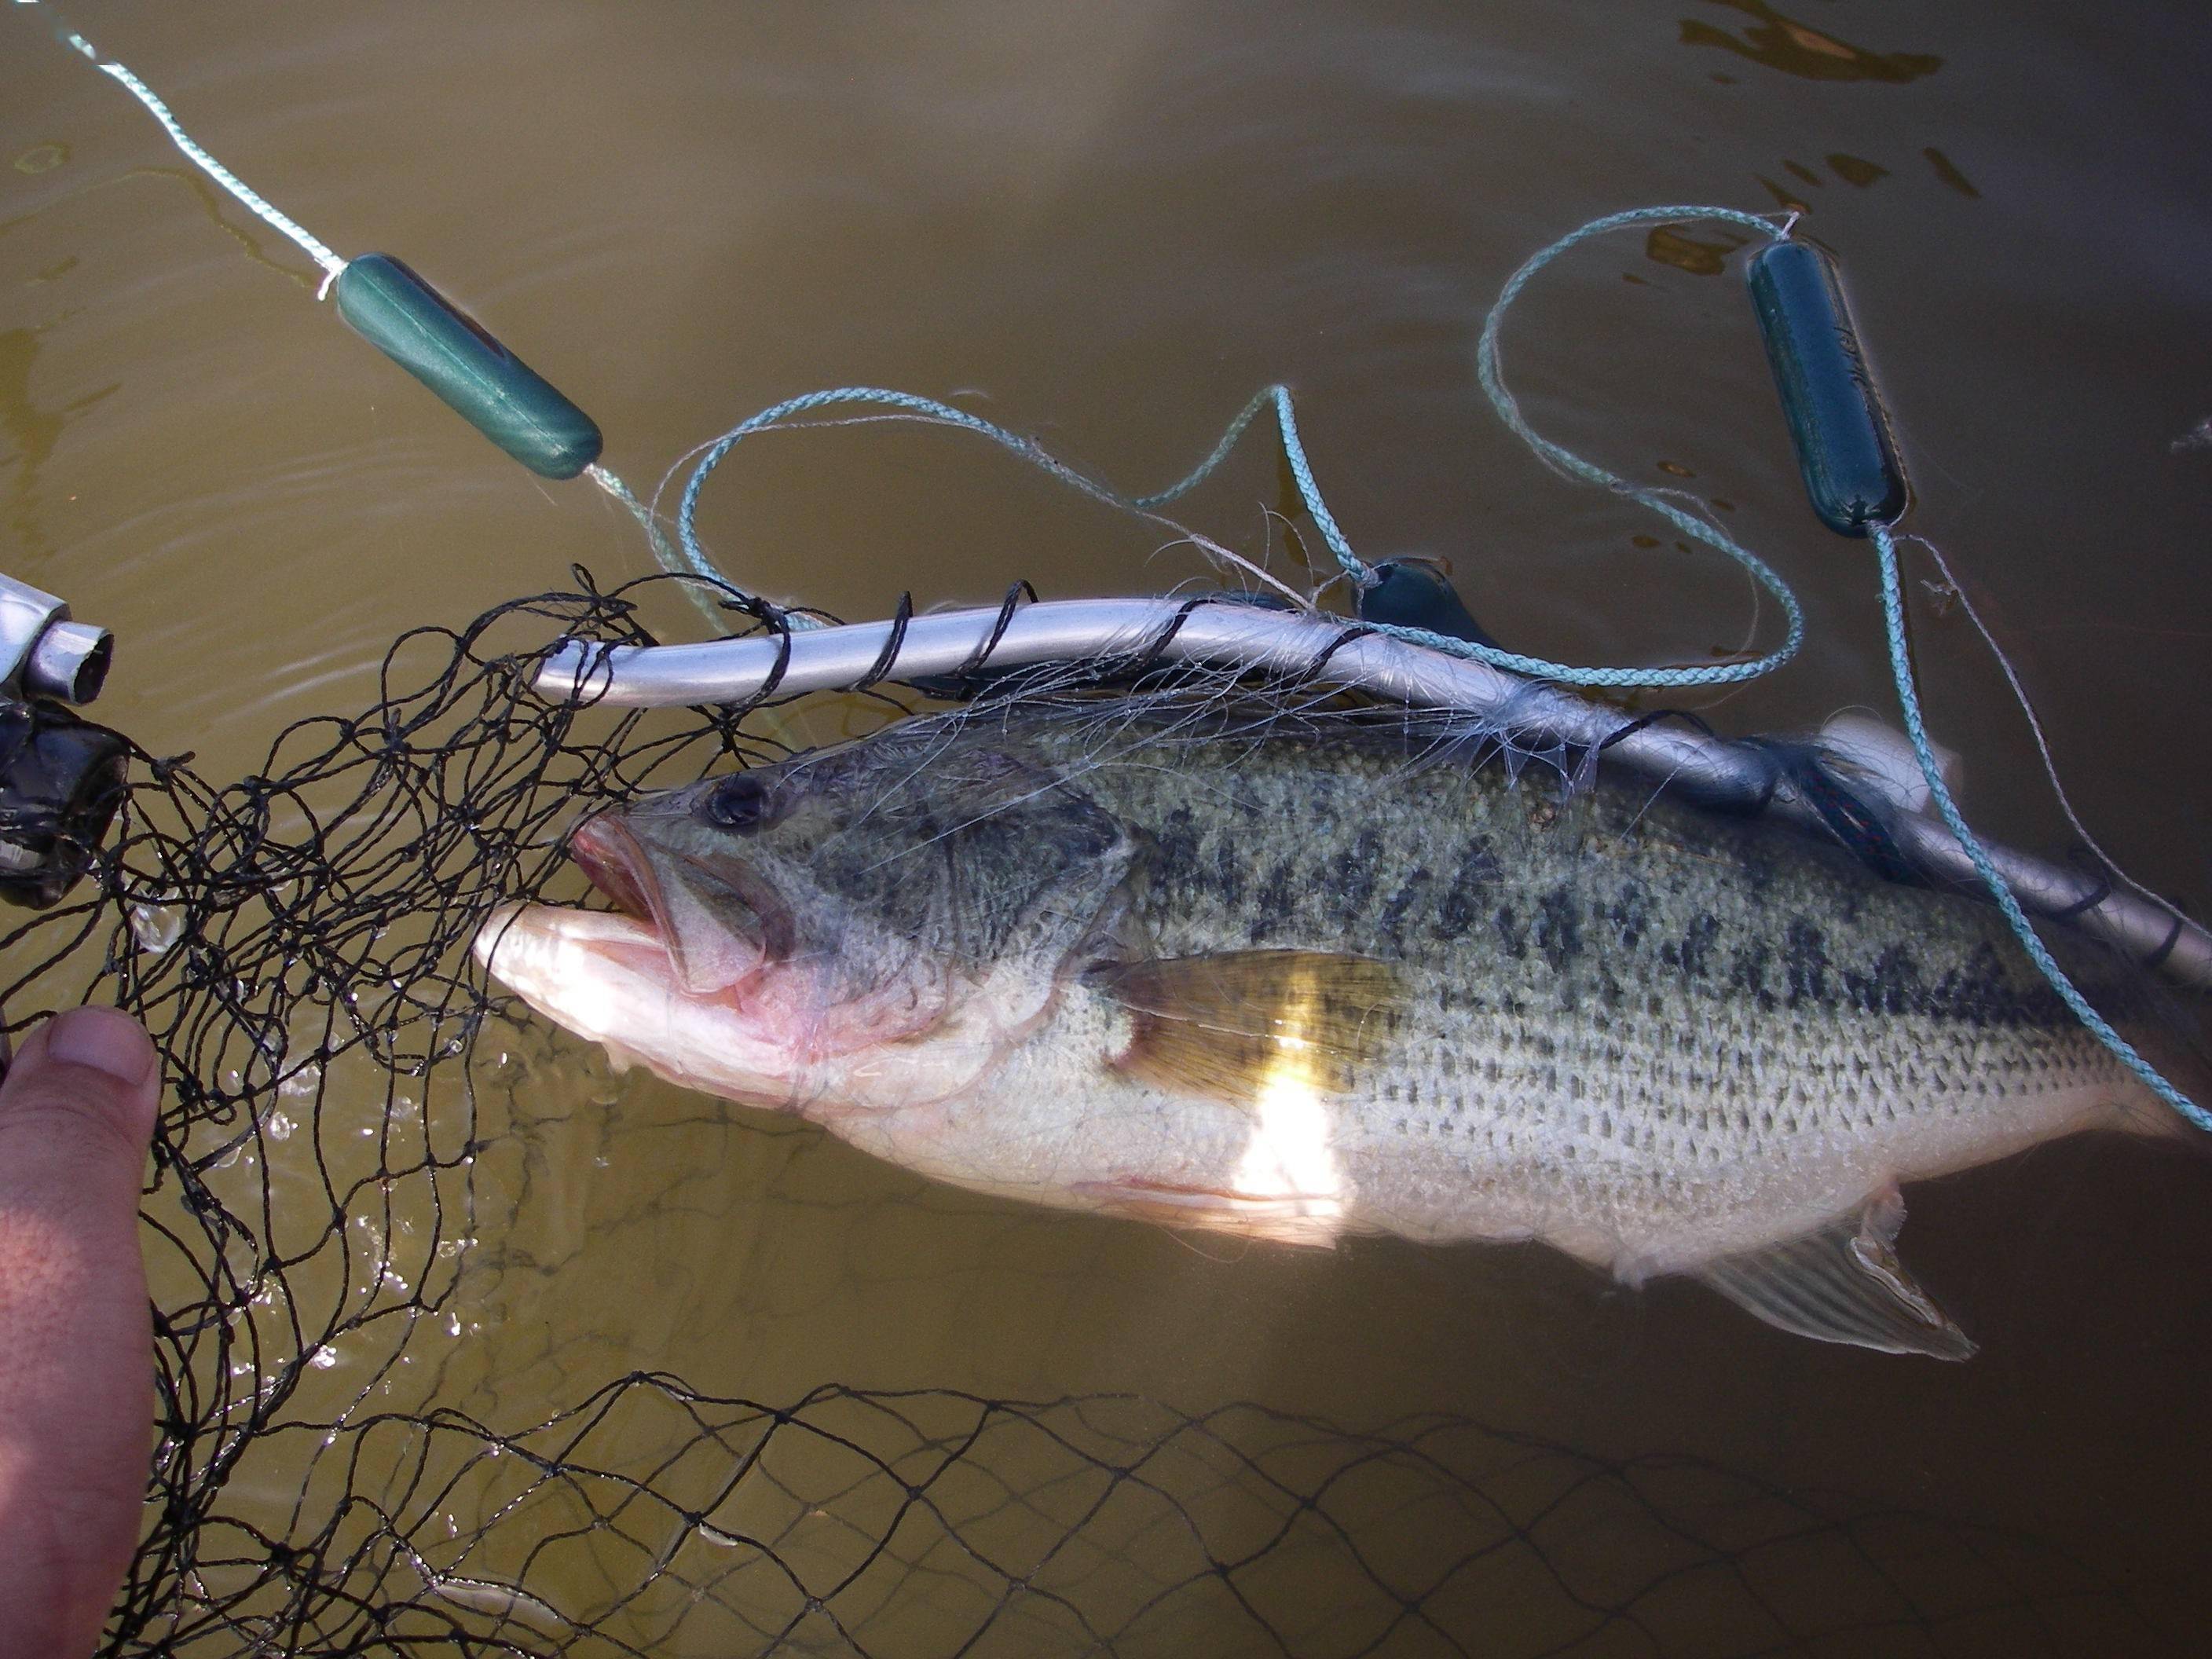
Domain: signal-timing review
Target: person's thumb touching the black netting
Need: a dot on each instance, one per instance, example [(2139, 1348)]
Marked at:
[(76, 1344)]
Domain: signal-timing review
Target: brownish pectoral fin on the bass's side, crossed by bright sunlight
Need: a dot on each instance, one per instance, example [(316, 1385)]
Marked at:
[(1240, 1025)]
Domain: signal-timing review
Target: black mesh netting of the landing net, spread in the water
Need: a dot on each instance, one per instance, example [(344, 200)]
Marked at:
[(337, 1474)]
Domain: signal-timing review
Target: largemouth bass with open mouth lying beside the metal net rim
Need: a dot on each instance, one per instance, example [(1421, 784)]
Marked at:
[(1313, 981)]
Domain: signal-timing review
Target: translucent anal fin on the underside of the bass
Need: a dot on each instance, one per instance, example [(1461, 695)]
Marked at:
[(1844, 1284)]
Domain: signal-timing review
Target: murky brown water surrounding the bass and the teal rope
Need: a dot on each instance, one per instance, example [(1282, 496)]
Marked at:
[(1107, 227)]
